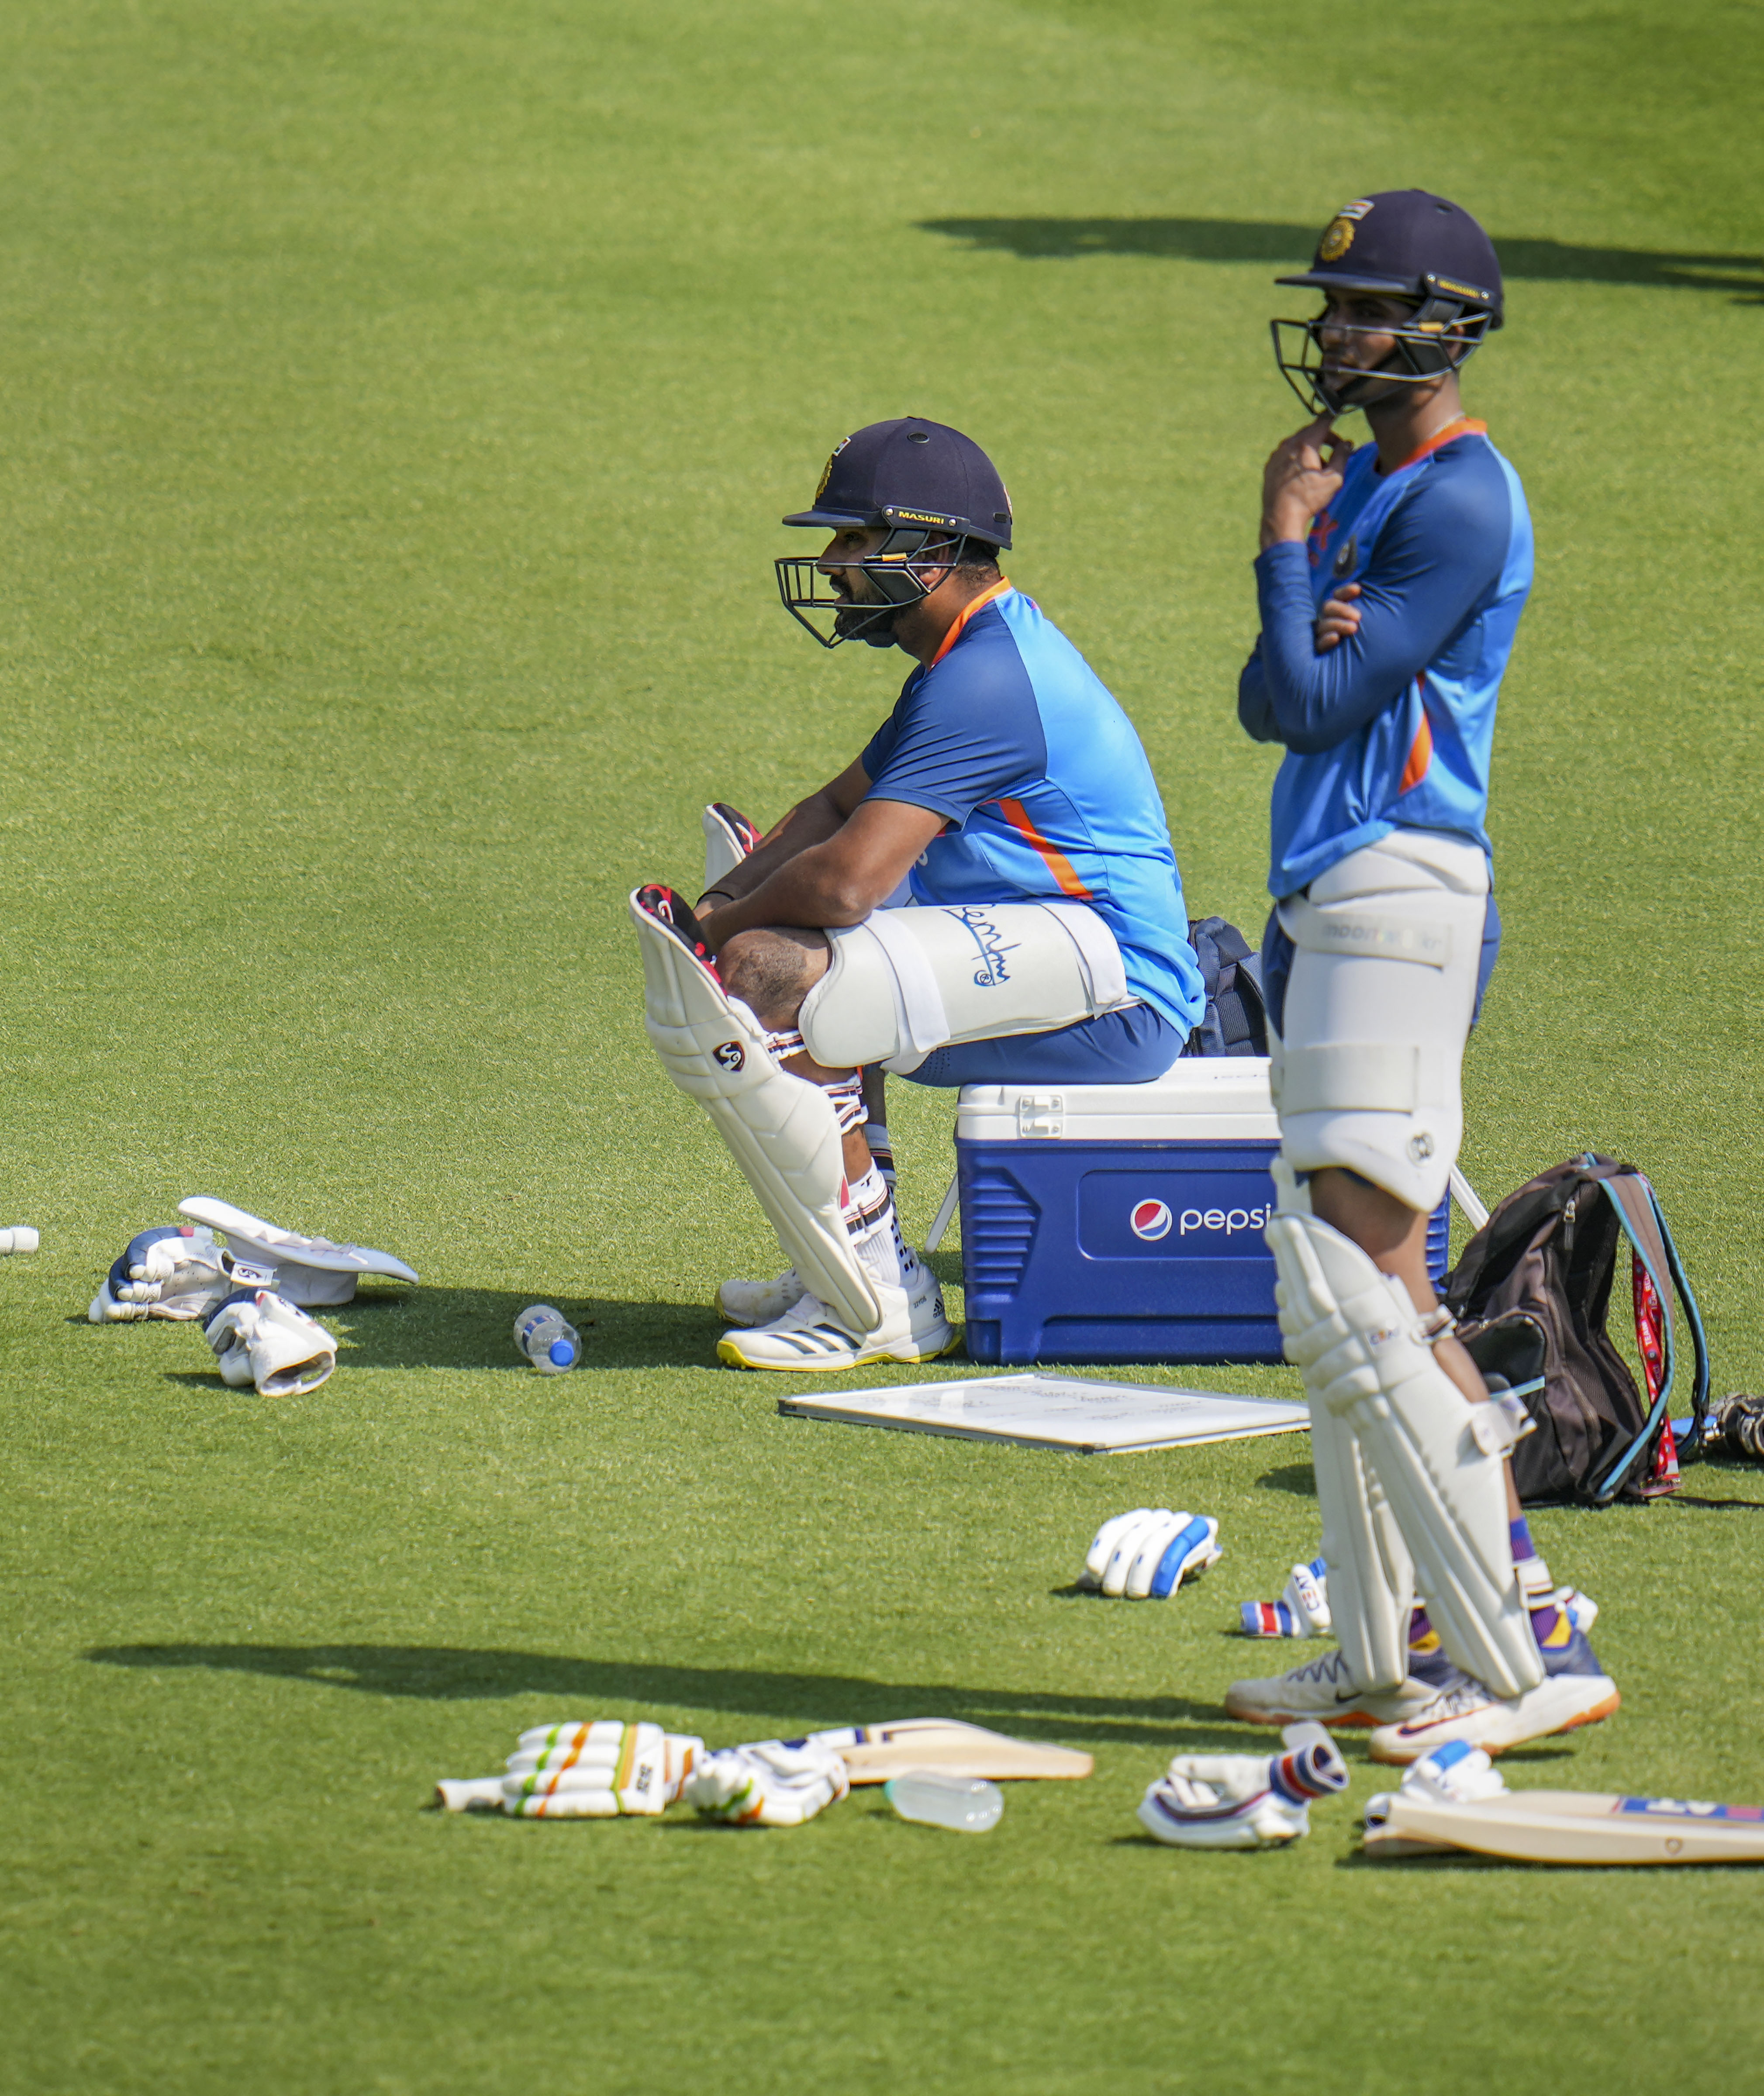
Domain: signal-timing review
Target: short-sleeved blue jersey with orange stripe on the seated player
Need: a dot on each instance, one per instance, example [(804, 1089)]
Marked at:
[(1046, 789)]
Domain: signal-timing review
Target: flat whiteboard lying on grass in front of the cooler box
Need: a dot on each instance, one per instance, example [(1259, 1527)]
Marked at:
[(1056, 1412)]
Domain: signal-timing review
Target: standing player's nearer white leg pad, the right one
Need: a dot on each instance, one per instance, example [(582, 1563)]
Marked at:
[(1356, 1338)]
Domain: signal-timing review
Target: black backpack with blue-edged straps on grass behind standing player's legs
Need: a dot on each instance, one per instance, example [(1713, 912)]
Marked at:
[(1532, 1294)]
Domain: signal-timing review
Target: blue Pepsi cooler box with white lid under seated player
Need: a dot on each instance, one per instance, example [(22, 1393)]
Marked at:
[(1125, 1221)]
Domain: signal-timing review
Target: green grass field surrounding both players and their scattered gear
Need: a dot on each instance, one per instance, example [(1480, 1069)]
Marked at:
[(397, 412)]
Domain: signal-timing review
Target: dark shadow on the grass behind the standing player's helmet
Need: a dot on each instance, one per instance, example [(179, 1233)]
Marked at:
[(1245, 240)]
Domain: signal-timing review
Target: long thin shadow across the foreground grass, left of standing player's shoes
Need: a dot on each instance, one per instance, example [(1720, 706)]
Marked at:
[(450, 1674)]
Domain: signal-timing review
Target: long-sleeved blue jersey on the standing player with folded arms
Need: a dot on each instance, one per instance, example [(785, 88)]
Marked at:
[(1396, 726)]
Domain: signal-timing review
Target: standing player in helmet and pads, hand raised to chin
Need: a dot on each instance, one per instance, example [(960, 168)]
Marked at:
[(1392, 580)]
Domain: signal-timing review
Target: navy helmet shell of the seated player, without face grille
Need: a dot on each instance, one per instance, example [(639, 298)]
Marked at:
[(911, 473)]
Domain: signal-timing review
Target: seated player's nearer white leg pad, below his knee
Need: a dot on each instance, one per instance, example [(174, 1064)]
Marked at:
[(781, 1131)]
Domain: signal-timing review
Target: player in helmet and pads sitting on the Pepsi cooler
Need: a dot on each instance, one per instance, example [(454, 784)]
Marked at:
[(1044, 934)]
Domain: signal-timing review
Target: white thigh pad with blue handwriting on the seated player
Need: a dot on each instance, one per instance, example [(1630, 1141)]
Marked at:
[(907, 982)]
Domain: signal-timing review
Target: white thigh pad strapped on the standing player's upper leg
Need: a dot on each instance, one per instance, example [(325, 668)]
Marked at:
[(1377, 1013)]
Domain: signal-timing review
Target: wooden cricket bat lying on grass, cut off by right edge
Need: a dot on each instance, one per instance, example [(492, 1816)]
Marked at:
[(1574, 1827)]
